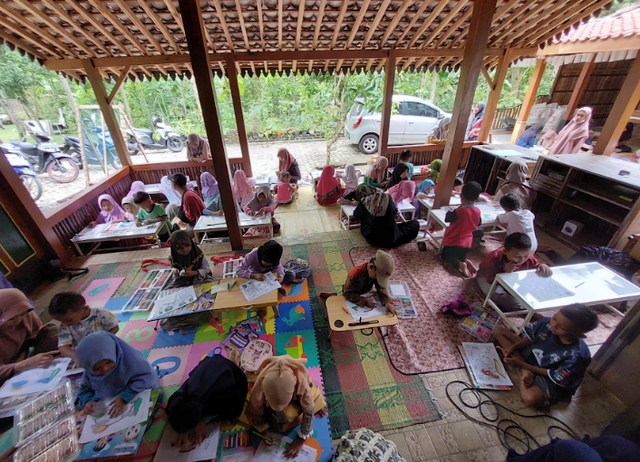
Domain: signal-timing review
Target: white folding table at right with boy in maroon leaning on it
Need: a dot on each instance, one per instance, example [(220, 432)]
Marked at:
[(588, 283)]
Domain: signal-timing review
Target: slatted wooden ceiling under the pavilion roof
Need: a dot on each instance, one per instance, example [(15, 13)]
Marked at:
[(56, 30)]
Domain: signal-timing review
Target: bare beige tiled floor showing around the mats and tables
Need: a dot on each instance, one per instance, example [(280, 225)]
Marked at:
[(454, 438)]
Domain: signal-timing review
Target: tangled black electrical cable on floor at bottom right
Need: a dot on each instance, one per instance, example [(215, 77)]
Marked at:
[(507, 429)]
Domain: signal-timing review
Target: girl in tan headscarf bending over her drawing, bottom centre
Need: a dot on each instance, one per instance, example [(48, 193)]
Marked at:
[(282, 398)]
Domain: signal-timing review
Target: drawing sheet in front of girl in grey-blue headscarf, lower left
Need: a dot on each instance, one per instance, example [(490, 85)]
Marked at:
[(99, 424)]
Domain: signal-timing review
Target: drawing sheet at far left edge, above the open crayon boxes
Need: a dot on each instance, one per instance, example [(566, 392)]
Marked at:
[(35, 380)]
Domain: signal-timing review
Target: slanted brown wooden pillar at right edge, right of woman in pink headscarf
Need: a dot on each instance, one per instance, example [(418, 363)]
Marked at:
[(625, 104)]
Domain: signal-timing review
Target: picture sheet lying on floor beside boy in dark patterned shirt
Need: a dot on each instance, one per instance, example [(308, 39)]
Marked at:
[(484, 366)]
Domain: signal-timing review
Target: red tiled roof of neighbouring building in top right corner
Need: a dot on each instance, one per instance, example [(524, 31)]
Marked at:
[(623, 23)]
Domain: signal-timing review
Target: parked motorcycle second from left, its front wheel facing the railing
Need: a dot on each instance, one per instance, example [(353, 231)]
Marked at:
[(46, 157)]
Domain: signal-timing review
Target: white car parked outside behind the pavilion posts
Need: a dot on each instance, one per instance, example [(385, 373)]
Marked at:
[(413, 121)]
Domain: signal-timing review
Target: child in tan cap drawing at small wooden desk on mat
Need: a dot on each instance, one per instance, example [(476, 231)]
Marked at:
[(361, 279)]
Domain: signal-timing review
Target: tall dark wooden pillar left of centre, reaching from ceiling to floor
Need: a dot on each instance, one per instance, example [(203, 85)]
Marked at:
[(199, 56)]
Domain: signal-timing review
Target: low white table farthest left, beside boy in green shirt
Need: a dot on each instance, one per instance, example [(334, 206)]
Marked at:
[(115, 232)]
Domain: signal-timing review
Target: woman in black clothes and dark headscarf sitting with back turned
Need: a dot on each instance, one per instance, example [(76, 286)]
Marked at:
[(377, 215)]
